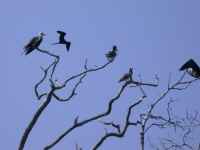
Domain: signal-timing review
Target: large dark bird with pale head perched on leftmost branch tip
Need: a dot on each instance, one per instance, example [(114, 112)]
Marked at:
[(34, 43)]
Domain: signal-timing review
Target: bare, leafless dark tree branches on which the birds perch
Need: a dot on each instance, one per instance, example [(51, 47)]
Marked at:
[(144, 121)]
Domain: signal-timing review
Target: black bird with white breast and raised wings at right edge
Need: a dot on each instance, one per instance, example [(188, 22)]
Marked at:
[(191, 68)]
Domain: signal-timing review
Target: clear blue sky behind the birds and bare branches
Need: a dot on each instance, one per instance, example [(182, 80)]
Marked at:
[(153, 36)]
